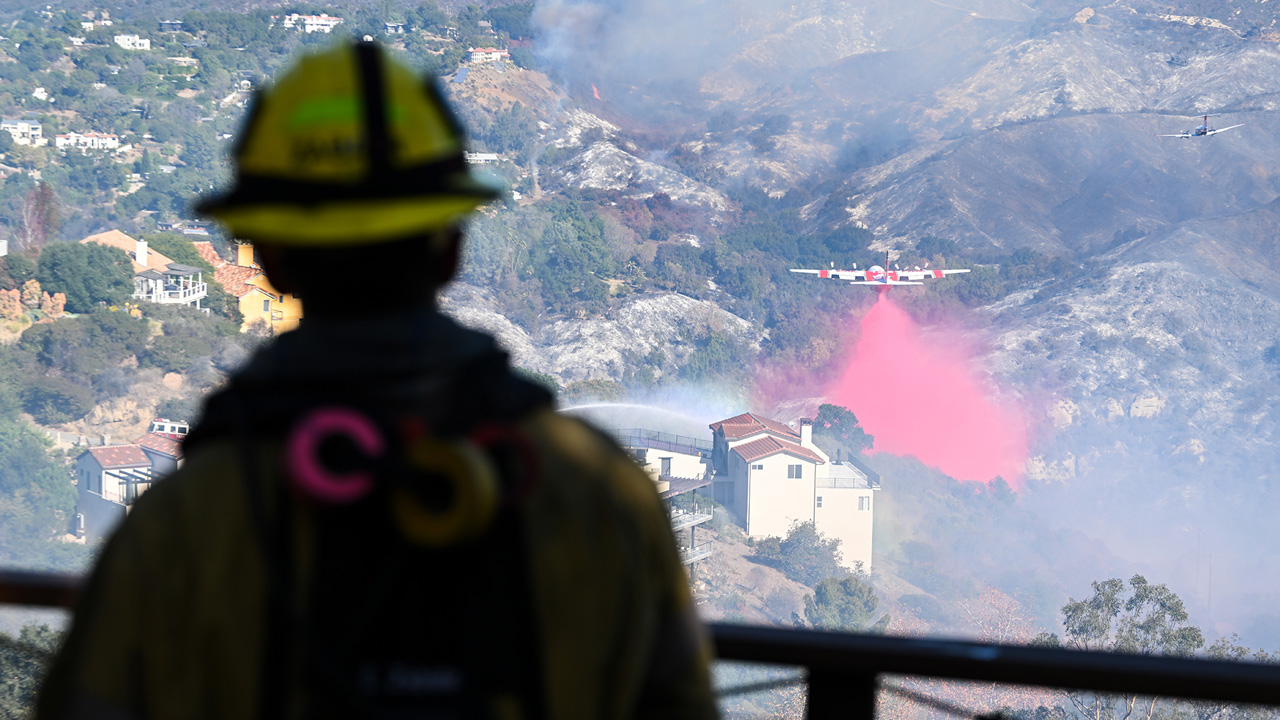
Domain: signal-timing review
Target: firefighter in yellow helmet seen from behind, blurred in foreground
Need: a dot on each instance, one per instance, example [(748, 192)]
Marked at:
[(377, 518)]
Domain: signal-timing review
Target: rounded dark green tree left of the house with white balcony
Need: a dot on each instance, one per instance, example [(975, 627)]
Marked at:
[(88, 274)]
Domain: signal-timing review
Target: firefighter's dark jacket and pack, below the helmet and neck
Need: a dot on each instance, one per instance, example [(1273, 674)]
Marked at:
[(230, 593)]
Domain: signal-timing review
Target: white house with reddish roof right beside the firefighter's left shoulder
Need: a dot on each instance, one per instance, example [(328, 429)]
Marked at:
[(109, 480)]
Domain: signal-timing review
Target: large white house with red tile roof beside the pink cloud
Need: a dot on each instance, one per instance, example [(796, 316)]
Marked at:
[(770, 476)]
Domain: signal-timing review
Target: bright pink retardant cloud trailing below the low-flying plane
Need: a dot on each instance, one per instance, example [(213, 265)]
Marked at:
[(925, 399)]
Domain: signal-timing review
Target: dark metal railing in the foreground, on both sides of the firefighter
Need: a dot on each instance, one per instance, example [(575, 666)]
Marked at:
[(844, 671)]
